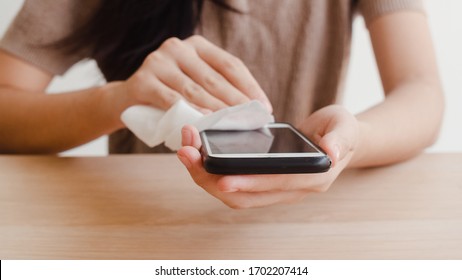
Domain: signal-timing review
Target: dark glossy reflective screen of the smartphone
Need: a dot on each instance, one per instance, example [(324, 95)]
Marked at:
[(272, 140)]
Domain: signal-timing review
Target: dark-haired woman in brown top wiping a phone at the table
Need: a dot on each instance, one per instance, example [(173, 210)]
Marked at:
[(290, 55)]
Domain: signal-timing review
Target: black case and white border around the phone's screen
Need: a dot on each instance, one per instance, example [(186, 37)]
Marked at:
[(265, 165)]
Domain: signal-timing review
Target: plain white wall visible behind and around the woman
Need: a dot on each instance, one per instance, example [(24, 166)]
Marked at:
[(363, 83)]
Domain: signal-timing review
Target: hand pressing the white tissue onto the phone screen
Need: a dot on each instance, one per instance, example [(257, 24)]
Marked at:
[(194, 69)]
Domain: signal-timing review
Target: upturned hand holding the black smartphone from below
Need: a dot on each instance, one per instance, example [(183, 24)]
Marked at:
[(333, 128)]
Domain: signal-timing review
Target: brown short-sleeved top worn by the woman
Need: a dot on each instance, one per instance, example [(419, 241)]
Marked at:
[(297, 50)]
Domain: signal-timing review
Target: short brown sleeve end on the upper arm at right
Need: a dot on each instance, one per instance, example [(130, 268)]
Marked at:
[(372, 9)]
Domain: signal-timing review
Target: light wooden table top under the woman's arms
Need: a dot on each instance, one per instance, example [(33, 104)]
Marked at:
[(147, 207)]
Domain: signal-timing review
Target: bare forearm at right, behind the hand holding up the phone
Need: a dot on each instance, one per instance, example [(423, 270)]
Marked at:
[(404, 124)]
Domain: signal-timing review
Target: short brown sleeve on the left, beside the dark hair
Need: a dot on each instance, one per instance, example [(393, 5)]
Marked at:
[(38, 25)]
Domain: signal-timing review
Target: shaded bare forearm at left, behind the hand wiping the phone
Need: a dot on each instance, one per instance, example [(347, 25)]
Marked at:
[(40, 123)]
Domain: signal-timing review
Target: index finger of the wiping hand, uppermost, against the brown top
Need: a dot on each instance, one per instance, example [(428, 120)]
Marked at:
[(231, 68)]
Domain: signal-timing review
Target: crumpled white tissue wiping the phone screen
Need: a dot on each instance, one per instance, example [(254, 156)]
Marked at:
[(154, 126)]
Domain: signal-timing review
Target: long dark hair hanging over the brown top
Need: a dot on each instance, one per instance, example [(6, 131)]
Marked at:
[(122, 33)]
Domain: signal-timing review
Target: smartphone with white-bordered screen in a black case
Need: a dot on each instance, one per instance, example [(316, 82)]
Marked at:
[(277, 148)]
